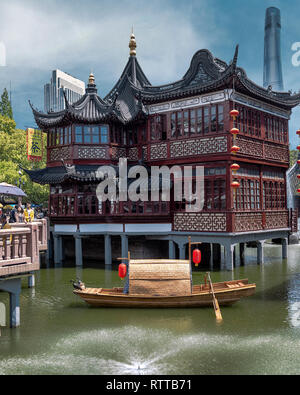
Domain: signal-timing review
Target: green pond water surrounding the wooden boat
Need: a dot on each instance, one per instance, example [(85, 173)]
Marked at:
[(60, 334)]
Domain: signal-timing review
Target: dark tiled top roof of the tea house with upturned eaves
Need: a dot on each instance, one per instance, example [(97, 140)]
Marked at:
[(125, 102)]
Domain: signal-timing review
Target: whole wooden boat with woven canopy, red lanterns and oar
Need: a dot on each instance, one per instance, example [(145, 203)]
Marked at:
[(164, 283)]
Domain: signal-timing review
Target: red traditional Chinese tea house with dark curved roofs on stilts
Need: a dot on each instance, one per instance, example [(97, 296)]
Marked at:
[(245, 154)]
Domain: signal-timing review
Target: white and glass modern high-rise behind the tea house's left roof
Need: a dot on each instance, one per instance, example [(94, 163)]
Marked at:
[(53, 92)]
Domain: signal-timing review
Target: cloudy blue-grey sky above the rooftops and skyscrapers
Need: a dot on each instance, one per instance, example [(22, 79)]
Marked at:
[(78, 36)]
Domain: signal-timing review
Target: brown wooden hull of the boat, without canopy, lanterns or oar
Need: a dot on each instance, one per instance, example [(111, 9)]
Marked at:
[(227, 293)]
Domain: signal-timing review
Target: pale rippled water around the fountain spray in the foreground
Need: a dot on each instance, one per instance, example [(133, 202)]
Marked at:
[(132, 350)]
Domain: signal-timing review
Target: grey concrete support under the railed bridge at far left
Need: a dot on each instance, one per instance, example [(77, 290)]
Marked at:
[(13, 287)]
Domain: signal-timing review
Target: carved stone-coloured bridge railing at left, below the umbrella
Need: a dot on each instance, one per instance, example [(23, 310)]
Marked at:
[(19, 249)]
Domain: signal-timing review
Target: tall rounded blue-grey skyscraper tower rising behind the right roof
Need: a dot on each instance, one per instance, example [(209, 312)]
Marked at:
[(272, 53)]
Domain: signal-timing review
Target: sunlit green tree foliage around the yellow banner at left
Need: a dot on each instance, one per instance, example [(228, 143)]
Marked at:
[(13, 152)]
